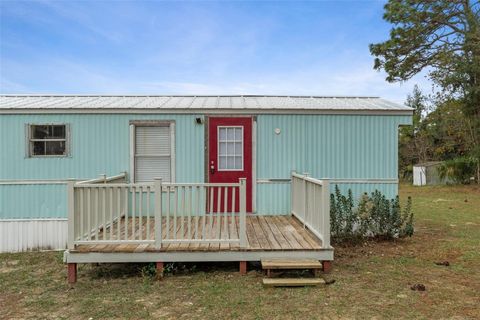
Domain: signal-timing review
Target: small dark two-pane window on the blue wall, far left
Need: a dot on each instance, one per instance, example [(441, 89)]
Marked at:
[(48, 140)]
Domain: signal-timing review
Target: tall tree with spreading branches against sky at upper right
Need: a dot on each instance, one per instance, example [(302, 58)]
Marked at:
[(442, 37)]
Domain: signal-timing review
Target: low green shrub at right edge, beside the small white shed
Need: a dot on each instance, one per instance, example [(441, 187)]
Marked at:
[(458, 170)]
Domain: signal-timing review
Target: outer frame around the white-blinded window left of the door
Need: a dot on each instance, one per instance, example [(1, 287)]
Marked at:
[(152, 123)]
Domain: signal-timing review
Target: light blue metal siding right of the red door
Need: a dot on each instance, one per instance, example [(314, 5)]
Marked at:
[(325, 146)]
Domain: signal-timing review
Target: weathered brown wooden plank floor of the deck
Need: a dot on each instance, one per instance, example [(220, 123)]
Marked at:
[(264, 233)]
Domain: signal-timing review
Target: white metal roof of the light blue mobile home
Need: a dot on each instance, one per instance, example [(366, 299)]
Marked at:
[(197, 104)]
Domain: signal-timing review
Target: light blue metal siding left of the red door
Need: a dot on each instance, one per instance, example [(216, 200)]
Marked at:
[(99, 144)]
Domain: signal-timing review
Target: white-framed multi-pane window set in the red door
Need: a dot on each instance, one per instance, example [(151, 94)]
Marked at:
[(230, 148)]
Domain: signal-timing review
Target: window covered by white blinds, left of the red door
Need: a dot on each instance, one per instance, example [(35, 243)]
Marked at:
[(153, 153)]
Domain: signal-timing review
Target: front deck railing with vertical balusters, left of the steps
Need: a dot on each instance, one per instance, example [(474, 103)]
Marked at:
[(158, 213)]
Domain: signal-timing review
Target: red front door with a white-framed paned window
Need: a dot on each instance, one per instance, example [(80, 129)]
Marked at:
[(230, 152)]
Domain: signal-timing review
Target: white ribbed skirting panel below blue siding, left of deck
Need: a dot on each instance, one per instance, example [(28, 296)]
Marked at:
[(35, 234)]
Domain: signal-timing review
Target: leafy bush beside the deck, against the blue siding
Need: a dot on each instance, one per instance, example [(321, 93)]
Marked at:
[(374, 216)]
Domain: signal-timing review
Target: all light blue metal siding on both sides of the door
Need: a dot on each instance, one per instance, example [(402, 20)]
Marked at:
[(327, 146)]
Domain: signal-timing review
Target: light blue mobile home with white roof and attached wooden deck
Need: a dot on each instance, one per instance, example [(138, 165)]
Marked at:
[(187, 178)]
